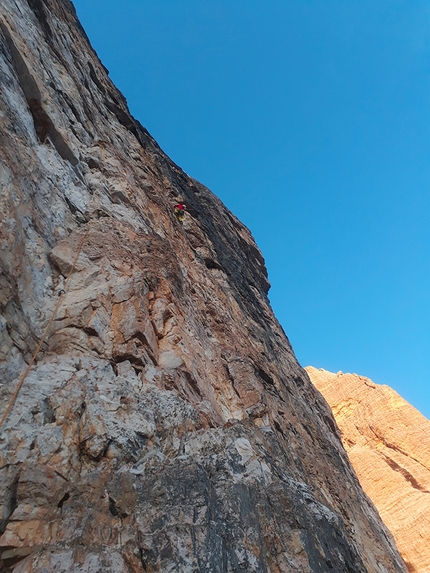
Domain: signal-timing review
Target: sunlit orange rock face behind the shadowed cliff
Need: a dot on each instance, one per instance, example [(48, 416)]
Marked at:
[(388, 443)]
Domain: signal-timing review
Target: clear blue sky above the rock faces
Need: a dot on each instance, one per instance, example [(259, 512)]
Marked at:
[(310, 119)]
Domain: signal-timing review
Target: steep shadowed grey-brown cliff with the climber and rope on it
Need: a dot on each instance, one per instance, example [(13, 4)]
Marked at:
[(166, 425)]
